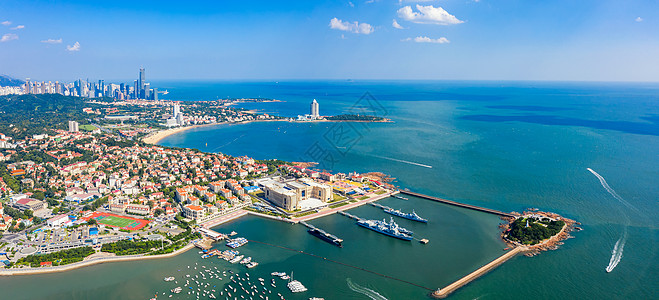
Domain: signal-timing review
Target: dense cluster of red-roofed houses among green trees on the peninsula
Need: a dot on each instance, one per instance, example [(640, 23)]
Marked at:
[(135, 179)]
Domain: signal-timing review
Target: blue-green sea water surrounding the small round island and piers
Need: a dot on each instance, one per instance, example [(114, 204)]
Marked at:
[(506, 146)]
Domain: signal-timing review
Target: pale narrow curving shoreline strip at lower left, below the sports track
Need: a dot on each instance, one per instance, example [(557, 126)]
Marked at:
[(91, 262)]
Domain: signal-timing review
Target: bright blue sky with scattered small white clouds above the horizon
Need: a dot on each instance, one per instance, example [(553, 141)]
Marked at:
[(442, 39)]
